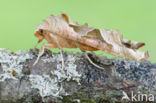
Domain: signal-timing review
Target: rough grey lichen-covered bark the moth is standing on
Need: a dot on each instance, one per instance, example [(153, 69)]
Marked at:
[(79, 82)]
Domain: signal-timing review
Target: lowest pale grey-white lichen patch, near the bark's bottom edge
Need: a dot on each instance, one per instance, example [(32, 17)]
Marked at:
[(45, 85)]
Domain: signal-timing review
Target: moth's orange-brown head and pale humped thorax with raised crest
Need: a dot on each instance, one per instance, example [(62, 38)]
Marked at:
[(51, 24)]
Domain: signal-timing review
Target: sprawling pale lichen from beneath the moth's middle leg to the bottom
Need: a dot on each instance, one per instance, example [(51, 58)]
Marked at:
[(52, 86)]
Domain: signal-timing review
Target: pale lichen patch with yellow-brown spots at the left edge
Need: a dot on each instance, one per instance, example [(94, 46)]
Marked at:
[(11, 63)]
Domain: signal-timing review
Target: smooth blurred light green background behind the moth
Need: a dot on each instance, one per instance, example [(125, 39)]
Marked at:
[(135, 19)]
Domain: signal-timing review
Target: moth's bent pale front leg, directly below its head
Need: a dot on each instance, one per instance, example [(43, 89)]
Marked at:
[(42, 51)]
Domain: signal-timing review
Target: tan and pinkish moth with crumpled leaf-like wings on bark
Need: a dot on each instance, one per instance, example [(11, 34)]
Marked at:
[(60, 32)]
